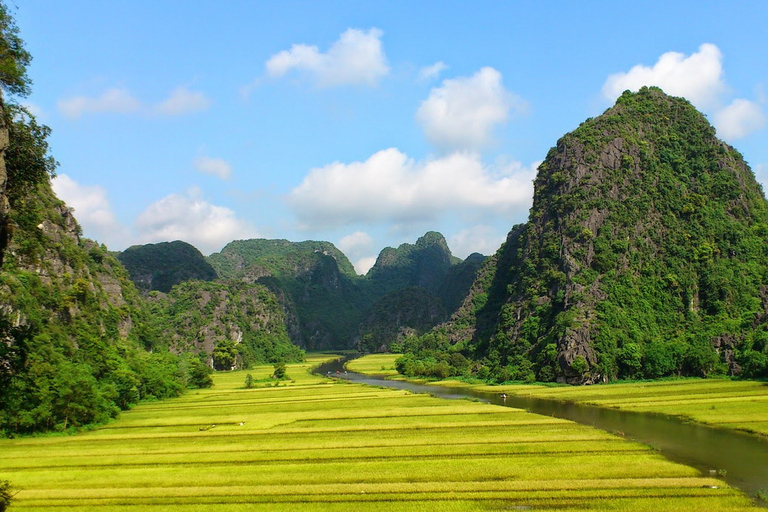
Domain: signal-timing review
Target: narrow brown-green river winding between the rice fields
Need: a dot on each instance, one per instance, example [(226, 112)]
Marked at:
[(742, 458)]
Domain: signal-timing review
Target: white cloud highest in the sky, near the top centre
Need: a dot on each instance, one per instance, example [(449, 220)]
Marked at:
[(356, 58)]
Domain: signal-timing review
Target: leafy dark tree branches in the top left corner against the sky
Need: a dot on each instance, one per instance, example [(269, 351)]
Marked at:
[(14, 58)]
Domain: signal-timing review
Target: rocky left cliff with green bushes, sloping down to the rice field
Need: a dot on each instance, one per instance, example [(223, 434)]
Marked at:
[(73, 325)]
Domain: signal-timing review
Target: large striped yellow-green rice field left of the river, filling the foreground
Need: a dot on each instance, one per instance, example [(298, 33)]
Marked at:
[(311, 443)]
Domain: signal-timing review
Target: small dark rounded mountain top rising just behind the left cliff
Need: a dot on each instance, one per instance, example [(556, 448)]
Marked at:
[(163, 265)]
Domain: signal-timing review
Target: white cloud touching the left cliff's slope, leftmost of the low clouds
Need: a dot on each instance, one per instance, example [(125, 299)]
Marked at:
[(92, 209)]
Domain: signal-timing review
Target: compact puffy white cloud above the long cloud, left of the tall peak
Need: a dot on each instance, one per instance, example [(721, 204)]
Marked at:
[(462, 112)]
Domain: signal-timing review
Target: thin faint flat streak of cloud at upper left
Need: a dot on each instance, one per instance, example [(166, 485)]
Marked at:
[(119, 100)]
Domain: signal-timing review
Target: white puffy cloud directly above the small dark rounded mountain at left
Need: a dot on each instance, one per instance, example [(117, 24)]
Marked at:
[(191, 219)]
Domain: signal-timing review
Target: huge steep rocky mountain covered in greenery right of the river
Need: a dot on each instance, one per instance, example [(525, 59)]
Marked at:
[(645, 255)]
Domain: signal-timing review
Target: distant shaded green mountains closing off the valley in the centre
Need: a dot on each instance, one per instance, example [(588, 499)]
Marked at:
[(408, 291)]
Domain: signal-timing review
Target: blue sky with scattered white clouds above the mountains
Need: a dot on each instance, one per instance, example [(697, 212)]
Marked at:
[(365, 124)]
